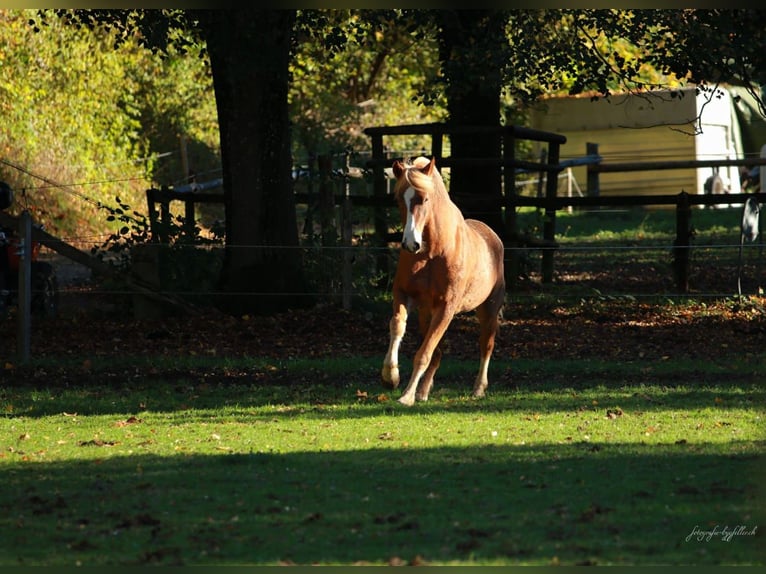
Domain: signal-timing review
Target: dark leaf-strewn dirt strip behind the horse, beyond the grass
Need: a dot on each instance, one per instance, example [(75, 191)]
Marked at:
[(90, 325)]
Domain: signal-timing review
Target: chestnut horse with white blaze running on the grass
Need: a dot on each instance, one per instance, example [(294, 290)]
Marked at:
[(447, 265)]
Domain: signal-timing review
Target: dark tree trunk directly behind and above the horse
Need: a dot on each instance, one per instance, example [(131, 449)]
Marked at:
[(468, 43)]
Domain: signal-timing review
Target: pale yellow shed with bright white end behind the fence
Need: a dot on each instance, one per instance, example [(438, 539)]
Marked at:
[(655, 127)]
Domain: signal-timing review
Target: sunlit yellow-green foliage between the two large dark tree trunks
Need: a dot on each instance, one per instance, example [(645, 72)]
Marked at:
[(354, 69)]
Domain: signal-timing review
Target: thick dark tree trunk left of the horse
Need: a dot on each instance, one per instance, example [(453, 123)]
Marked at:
[(249, 55)]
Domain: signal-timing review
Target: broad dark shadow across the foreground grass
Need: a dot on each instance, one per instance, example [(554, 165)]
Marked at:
[(542, 504)]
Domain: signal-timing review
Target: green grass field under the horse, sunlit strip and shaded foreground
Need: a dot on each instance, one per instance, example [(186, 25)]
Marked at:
[(570, 462)]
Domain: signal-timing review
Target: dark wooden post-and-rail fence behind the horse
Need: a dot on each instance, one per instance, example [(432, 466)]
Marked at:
[(381, 203)]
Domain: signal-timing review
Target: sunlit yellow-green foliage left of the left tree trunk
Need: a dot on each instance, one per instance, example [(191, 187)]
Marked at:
[(101, 118)]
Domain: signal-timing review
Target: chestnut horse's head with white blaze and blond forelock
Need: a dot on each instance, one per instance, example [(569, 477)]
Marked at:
[(414, 186)]
